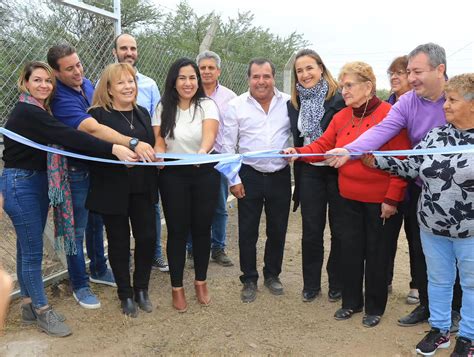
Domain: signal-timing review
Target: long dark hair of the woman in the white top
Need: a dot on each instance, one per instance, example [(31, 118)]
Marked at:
[(170, 98)]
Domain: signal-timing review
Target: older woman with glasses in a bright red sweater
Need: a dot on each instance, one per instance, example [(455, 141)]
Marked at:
[(370, 197)]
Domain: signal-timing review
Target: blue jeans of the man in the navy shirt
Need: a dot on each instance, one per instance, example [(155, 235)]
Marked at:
[(79, 182)]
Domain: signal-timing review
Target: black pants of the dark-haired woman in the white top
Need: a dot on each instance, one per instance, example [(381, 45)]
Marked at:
[(189, 196)]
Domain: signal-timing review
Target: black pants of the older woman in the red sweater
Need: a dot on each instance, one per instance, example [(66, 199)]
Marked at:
[(365, 248)]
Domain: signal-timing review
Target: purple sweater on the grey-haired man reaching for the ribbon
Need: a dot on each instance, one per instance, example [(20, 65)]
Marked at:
[(416, 114)]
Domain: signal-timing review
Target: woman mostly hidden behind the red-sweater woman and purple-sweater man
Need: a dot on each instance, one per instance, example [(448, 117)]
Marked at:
[(399, 85)]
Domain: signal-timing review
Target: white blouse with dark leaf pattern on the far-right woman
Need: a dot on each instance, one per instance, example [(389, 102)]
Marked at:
[(446, 203)]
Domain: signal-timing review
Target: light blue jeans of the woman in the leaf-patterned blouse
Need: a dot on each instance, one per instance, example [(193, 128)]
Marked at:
[(441, 254)]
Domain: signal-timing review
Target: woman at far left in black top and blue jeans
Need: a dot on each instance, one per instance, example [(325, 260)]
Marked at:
[(25, 186)]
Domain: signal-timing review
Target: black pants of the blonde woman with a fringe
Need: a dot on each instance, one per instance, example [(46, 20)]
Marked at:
[(141, 214)]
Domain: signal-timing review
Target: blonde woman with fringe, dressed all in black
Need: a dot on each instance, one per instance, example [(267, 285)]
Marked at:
[(122, 194)]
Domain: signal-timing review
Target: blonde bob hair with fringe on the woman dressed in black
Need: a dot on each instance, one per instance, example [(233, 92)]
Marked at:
[(111, 74)]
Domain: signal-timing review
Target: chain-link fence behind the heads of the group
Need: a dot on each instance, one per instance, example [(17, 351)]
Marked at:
[(92, 35)]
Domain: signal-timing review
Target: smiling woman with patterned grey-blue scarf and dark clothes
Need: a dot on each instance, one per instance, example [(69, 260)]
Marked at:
[(314, 101)]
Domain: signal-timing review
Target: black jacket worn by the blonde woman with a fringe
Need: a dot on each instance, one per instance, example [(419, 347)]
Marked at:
[(110, 186)]
